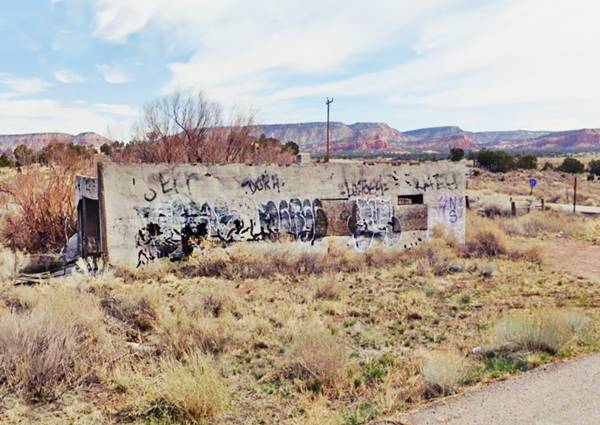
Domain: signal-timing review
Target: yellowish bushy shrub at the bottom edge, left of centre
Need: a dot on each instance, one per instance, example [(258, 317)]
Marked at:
[(187, 390)]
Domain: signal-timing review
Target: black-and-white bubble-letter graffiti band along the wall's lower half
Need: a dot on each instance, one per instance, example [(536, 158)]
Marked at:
[(174, 228)]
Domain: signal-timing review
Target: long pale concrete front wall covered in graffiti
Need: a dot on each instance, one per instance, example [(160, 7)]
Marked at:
[(154, 211)]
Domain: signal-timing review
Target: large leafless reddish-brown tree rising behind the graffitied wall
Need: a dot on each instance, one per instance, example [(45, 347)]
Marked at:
[(190, 129)]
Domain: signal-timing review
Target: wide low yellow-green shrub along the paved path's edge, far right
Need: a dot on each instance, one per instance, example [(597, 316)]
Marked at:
[(539, 330)]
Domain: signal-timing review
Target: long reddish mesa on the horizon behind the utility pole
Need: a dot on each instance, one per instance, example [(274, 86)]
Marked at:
[(383, 139)]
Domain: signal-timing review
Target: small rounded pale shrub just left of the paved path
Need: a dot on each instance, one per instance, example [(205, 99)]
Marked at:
[(443, 371)]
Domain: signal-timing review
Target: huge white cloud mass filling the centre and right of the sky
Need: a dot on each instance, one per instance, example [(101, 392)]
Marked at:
[(510, 63)]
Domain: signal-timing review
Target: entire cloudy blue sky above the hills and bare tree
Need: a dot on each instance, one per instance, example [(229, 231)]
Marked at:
[(77, 65)]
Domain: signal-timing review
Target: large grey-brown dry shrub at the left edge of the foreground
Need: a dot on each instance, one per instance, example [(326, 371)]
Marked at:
[(54, 347)]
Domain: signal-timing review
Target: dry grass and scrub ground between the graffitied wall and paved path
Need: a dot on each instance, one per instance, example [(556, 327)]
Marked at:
[(294, 337)]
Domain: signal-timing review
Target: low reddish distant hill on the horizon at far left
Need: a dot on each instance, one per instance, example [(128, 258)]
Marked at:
[(37, 141)]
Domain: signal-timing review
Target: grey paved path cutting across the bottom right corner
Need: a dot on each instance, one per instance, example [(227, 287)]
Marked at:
[(567, 393)]
